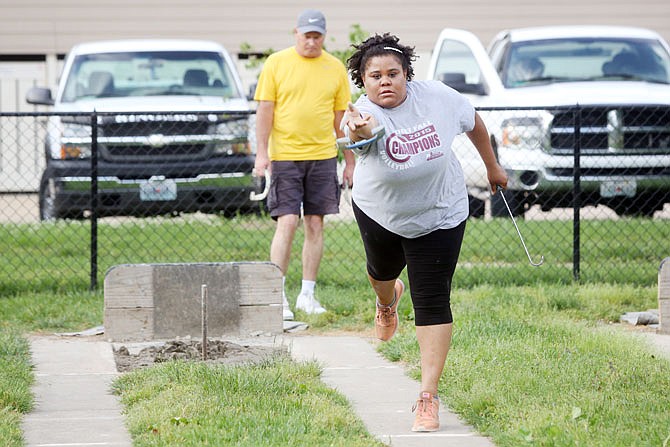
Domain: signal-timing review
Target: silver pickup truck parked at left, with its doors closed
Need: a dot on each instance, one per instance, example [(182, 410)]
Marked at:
[(172, 131)]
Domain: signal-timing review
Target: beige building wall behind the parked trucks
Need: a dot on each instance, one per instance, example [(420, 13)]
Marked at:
[(47, 26)]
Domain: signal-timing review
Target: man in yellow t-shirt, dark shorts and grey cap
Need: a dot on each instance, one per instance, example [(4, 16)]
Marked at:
[(302, 93)]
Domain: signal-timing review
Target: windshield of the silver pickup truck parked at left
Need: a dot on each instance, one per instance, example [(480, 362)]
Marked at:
[(155, 73)]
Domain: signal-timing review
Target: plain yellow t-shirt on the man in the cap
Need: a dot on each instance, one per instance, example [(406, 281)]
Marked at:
[(306, 93)]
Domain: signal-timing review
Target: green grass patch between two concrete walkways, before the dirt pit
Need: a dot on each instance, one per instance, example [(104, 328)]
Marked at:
[(276, 402)]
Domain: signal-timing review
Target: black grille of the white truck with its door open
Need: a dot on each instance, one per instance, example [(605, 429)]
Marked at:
[(613, 130)]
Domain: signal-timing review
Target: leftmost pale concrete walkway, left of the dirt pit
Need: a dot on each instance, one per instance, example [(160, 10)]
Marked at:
[(73, 403)]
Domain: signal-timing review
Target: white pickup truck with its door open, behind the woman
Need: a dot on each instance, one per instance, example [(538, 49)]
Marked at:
[(545, 91)]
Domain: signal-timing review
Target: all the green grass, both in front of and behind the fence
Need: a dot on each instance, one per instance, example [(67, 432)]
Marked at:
[(535, 359)]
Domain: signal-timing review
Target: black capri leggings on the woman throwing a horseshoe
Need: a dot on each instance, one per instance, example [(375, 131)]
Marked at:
[(430, 259)]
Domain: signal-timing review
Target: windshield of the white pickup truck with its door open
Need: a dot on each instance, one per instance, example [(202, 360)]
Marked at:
[(585, 59)]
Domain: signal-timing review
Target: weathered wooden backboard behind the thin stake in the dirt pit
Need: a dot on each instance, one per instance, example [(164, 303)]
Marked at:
[(161, 301)]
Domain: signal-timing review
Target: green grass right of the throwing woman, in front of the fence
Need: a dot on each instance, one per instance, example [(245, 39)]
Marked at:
[(541, 366)]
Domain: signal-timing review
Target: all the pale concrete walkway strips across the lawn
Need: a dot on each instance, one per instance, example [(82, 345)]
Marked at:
[(75, 407)]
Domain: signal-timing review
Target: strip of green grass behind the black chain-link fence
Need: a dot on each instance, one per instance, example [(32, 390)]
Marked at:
[(56, 256)]
